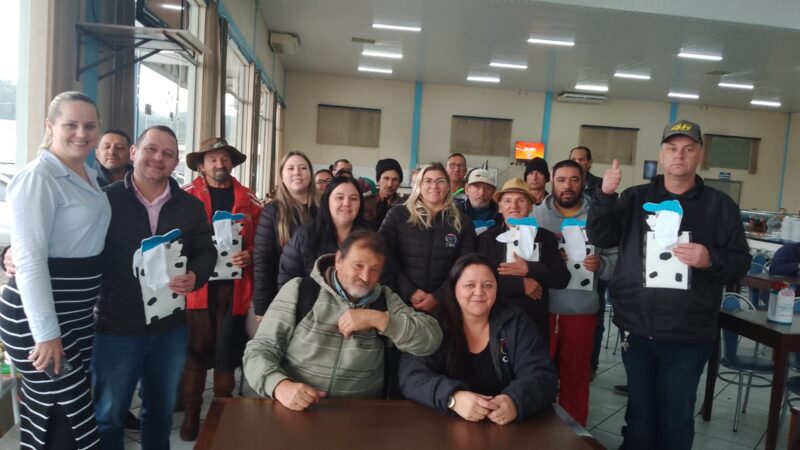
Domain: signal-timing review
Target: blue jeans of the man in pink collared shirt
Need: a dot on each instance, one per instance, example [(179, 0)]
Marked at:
[(118, 363)]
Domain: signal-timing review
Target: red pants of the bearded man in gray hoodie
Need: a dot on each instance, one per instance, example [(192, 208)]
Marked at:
[(571, 339)]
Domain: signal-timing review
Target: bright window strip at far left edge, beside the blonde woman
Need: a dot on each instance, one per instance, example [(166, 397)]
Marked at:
[(9, 68)]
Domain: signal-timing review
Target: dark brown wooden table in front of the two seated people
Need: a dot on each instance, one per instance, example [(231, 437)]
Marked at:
[(249, 423)]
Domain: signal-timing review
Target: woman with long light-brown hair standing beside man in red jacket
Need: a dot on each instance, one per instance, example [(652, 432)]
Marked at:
[(296, 201)]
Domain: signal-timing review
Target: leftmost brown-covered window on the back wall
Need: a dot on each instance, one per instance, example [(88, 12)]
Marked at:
[(344, 125)]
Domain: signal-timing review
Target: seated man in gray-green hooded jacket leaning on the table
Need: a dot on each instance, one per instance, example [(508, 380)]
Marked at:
[(326, 335)]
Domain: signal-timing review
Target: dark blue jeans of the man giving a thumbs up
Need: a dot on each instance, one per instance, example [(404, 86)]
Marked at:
[(662, 389)]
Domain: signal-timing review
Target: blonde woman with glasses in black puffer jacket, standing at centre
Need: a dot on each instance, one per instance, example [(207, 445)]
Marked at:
[(425, 235)]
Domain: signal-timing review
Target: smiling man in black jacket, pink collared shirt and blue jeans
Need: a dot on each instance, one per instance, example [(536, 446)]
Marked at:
[(128, 346)]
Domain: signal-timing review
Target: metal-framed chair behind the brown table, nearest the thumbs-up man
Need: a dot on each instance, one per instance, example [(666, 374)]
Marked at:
[(745, 371)]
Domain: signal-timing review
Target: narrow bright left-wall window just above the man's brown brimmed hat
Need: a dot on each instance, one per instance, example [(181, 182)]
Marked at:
[(235, 95)]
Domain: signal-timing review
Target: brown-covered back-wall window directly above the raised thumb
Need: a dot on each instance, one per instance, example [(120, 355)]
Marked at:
[(610, 143)]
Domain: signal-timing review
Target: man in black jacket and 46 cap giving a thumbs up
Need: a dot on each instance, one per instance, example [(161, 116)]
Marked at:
[(668, 331)]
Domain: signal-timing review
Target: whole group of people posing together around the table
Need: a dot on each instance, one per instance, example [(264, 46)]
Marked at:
[(476, 301)]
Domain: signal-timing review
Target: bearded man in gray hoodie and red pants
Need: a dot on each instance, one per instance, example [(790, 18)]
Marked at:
[(573, 310)]
